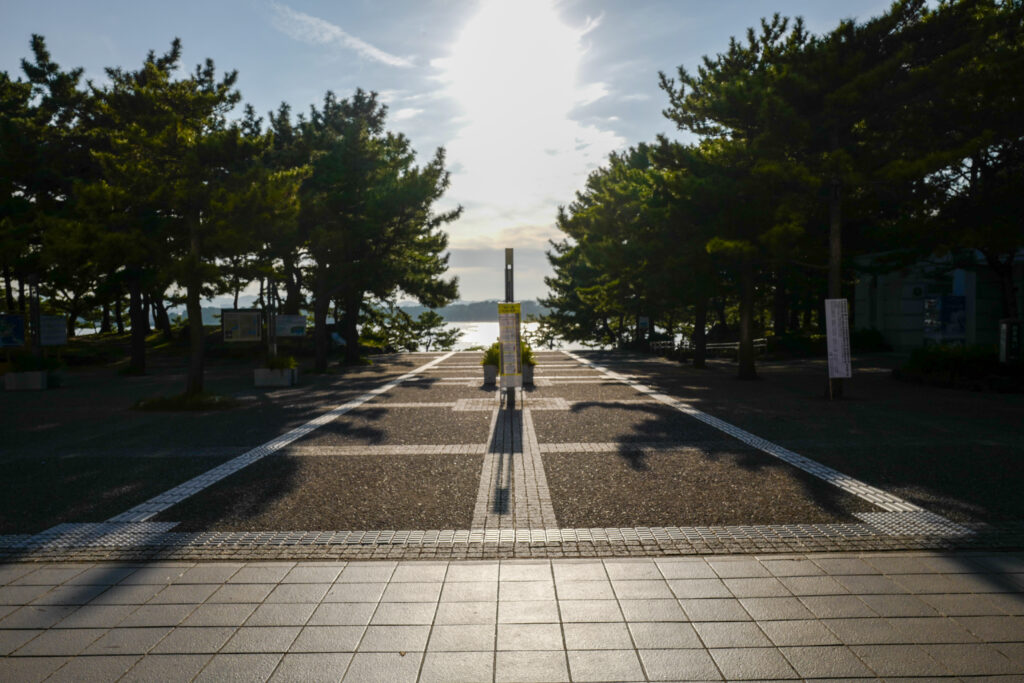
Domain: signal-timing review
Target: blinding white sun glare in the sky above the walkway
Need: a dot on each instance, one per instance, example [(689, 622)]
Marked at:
[(514, 72)]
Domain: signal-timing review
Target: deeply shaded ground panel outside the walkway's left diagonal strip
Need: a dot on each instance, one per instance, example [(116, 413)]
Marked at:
[(37, 494)]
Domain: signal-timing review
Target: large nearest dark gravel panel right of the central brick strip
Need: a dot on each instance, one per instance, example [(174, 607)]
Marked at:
[(690, 488)]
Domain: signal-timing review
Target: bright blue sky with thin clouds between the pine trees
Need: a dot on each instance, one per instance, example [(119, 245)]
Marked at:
[(527, 97)]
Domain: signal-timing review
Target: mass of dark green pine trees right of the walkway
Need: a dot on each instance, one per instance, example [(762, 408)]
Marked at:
[(901, 136)]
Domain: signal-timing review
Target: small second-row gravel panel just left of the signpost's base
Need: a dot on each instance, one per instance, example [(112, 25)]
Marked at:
[(378, 425)]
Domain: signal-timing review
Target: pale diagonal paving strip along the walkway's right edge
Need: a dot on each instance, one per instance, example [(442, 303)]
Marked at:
[(862, 490)]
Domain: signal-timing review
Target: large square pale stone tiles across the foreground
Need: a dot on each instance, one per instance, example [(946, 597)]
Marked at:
[(867, 616)]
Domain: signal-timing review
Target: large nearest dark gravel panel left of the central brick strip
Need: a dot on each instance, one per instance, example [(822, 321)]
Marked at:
[(340, 493)]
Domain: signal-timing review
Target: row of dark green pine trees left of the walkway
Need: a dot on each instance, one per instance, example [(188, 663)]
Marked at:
[(122, 199)]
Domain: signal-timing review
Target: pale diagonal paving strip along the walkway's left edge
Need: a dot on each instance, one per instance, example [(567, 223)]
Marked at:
[(153, 507)]
